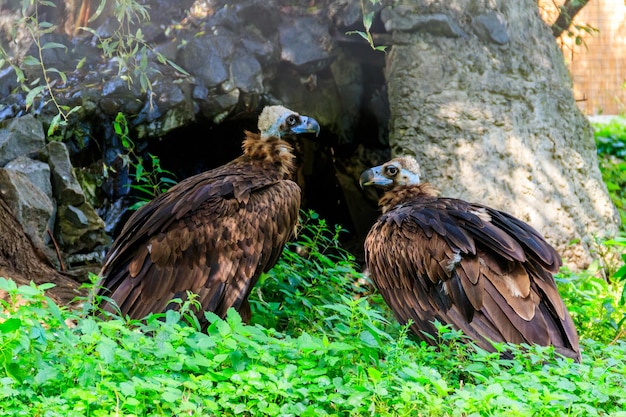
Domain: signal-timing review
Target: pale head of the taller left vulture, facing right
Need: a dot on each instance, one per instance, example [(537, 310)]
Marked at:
[(279, 121)]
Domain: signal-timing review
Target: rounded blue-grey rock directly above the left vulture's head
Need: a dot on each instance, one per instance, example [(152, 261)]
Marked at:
[(306, 44)]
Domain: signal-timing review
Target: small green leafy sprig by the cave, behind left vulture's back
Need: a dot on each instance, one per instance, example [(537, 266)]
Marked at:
[(148, 181)]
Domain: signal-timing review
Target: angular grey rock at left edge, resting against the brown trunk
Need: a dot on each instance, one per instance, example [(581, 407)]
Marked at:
[(32, 208)]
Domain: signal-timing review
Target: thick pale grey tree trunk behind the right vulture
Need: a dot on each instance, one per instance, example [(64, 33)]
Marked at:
[(480, 94)]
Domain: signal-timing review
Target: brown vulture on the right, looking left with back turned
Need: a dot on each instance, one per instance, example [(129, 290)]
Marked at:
[(476, 268)]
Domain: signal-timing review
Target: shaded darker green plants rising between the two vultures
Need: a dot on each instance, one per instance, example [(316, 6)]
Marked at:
[(314, 274)]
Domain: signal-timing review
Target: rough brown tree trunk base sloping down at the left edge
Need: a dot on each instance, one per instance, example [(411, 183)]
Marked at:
[(20, 261)]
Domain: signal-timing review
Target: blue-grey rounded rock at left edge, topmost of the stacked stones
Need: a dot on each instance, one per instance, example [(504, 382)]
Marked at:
[(20, 136)]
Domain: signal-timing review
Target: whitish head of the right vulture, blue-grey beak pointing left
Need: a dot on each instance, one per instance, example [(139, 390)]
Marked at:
[(399, 171)]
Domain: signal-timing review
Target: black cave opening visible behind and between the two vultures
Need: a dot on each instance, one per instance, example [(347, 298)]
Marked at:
[(325, 165)]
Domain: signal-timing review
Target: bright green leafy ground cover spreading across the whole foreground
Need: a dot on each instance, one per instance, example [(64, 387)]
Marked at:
[(321, 345)]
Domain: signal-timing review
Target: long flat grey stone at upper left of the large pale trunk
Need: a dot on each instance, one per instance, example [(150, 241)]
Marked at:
[(405, 19)]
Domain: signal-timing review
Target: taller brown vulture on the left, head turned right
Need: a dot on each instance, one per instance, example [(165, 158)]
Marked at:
[(212, 234)]
